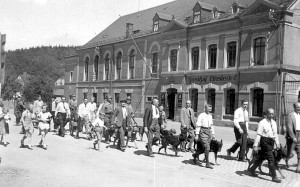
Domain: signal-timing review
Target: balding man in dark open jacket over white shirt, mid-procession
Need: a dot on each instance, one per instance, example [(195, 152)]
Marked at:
[(151, 125)]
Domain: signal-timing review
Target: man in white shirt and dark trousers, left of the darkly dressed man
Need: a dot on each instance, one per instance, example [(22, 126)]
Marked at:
[(62, 113)]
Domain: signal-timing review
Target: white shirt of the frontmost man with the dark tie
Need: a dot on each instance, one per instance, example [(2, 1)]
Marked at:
[(268, 129)]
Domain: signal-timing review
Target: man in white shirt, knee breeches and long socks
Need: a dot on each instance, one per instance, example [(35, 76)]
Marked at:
[(205, 132)]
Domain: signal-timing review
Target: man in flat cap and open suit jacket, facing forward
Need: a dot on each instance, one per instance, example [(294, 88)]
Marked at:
[(122, 118)]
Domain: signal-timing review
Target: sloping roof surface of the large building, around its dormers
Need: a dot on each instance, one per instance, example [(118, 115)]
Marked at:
[(182, 10)]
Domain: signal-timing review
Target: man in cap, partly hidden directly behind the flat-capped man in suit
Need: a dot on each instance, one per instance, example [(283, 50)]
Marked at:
[(108, 109)]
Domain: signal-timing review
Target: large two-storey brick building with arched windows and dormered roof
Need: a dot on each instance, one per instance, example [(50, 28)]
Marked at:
[(216, 52)]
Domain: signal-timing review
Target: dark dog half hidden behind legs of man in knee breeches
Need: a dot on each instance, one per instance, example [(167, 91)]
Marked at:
[(215, 147)]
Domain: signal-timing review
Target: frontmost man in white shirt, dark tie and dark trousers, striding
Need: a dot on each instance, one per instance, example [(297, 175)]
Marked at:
[(267, 136)]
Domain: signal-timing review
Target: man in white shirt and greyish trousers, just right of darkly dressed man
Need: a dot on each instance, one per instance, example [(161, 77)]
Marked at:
[(84, 114)]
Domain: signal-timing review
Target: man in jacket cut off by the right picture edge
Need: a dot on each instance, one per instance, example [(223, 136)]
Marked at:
[(293, 135)]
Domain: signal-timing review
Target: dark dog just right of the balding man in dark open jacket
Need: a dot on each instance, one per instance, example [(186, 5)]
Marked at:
[(169, 137)]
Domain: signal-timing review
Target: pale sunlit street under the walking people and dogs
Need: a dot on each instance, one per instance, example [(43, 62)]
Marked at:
[(71, 162)]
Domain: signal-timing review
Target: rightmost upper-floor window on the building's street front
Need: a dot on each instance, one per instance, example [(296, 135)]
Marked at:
[(259, 50)]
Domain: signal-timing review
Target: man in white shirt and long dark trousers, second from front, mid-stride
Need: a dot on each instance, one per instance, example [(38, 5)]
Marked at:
[(241, 119)]
